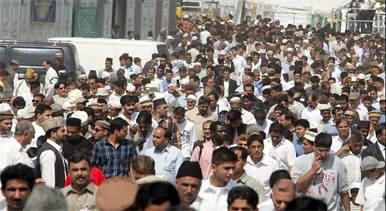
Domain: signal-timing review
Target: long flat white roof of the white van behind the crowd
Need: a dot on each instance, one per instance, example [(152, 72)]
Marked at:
[(103, 40)]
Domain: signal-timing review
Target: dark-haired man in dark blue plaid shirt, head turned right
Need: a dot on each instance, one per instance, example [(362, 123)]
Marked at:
[(114, 154)]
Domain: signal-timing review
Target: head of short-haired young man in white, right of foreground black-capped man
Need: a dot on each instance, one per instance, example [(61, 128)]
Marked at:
[(223, 165)]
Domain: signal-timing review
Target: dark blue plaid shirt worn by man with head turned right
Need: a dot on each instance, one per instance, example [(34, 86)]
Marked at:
[(114, 161)]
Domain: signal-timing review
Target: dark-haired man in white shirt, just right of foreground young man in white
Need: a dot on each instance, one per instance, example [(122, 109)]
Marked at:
[(259, 165)]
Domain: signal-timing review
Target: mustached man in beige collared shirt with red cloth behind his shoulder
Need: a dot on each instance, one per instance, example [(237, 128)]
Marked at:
[(80, 195)]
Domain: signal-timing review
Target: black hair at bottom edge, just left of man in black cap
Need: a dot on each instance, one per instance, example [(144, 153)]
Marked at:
[(156, 193)]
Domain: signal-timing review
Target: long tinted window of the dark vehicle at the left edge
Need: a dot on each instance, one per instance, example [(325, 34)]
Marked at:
[(34, 56)]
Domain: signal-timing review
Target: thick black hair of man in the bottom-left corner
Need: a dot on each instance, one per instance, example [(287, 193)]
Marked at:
[(19, 171)]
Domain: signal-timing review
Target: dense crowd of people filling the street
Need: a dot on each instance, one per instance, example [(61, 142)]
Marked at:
[(251, 116)]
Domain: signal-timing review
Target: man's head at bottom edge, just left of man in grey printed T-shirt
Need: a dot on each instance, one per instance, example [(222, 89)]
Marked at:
[(283, 192)]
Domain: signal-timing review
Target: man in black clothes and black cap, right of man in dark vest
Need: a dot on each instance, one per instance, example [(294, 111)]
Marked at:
[(74, 140)]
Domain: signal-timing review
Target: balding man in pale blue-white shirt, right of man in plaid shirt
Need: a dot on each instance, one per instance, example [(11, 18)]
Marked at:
[(167, 158)]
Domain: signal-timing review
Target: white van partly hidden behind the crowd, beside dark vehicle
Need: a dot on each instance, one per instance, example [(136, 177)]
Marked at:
[(92, 52)]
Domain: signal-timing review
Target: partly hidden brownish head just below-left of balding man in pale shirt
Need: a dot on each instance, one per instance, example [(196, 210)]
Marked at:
[(142, 166)]
